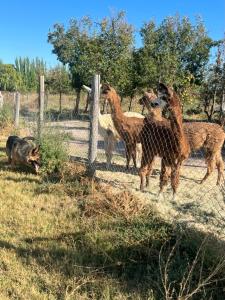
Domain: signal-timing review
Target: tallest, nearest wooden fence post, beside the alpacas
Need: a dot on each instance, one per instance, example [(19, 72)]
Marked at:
[(94, 113)]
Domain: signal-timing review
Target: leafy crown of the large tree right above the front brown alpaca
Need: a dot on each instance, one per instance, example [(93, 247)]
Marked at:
[(175, 52)]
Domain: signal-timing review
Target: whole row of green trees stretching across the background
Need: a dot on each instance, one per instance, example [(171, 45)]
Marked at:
[(177, 52)]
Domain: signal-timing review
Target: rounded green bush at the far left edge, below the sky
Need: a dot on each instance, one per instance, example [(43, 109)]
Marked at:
[(10, 79)]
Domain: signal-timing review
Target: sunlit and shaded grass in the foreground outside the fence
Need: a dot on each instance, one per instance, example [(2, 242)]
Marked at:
[(75, 239)]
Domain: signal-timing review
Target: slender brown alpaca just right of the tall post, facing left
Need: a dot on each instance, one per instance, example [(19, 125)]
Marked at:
[(127, 127)]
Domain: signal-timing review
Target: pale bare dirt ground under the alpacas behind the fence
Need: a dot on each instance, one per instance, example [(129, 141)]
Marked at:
[(201, 205)]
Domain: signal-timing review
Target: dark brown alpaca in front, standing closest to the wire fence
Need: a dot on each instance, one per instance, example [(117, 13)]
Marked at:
[(164, 139)]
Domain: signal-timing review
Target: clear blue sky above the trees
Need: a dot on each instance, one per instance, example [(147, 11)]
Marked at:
[(24, 25)]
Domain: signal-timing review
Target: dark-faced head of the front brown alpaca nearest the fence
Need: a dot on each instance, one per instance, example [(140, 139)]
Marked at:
[(165, 97)]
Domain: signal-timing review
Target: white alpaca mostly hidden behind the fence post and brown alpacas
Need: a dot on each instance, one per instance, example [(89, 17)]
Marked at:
[(111, 136)]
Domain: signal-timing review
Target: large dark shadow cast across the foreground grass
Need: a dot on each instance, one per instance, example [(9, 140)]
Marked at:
[(134, 265)]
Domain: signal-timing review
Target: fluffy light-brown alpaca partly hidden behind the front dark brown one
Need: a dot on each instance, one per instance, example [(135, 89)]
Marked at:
[(208, 136)]
